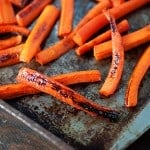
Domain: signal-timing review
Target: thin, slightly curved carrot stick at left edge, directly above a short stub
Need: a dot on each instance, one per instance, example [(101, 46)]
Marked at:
[(14, 29)]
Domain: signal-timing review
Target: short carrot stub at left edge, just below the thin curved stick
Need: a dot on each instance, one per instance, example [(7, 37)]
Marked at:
[(12, 41)]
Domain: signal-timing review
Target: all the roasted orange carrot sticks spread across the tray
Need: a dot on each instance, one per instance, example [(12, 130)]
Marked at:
[(24, 45)]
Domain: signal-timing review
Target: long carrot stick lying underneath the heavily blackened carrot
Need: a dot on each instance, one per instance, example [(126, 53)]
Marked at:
[(10, 91)]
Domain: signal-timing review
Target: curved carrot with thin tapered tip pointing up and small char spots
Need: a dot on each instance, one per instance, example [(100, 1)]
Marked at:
[(111, 82)]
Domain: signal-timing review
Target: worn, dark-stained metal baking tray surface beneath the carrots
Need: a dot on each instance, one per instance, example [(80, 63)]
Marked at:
[(75, 127)]
